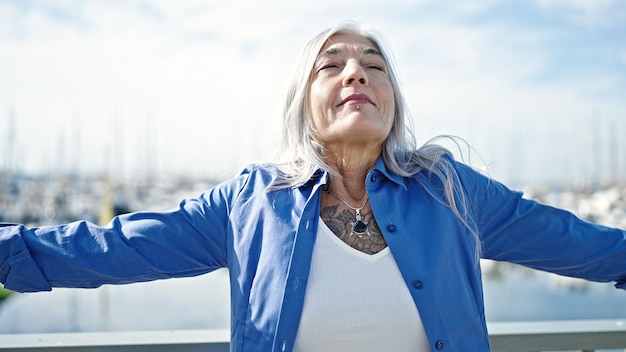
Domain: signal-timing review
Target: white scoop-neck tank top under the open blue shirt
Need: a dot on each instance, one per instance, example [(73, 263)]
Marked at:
[(356, 302)]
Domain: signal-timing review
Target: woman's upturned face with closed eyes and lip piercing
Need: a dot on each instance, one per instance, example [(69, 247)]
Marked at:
[(350, 96)]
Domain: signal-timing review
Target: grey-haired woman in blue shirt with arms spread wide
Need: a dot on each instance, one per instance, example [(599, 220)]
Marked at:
[(357, 241)]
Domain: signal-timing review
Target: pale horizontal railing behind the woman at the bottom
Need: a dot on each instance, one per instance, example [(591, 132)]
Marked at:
[(578, 335)]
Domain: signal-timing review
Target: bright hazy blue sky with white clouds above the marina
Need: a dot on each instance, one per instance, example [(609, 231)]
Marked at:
[(536, 87)]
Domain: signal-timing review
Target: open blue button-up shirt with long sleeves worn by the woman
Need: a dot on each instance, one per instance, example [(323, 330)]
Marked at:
[(266, 237)]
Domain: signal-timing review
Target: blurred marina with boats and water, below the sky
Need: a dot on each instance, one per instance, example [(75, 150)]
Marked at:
[(512, 293)]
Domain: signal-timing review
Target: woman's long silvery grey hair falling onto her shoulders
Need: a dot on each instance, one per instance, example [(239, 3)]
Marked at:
[(302, 154)]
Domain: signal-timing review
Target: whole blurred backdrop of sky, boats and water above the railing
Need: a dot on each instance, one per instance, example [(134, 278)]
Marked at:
[(115, 106)]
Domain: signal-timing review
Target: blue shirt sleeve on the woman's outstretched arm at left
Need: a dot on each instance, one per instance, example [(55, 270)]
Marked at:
[(186, 241)]
